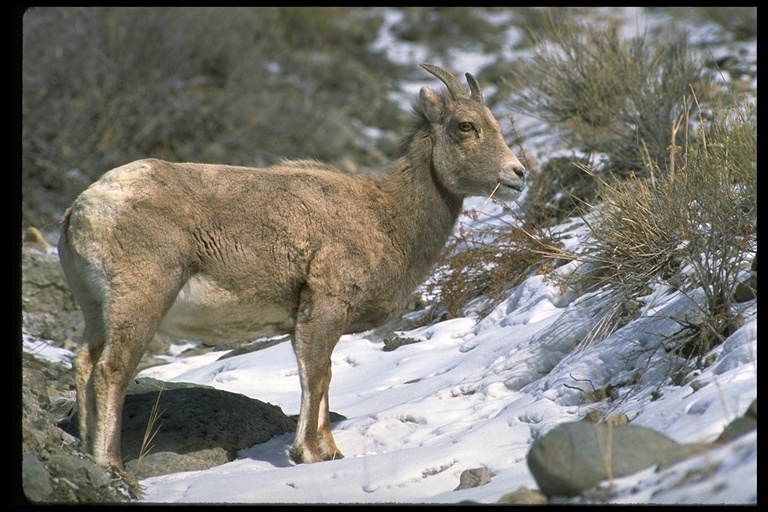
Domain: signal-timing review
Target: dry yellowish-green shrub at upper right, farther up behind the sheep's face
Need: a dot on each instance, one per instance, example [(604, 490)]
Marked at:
[(604, 94)]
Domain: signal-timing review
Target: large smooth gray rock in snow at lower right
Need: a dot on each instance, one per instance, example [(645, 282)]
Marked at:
[(573, 457)]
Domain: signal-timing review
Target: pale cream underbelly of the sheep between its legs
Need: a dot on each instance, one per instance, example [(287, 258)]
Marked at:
[(205, 312)]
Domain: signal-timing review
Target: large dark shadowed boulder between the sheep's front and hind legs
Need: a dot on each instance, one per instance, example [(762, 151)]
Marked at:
[(189, 427)]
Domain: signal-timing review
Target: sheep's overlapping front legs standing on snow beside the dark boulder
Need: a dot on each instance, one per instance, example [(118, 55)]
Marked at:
[(318, 328)]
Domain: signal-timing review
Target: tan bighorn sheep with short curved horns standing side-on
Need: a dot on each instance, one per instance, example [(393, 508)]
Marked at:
[(219, 253)]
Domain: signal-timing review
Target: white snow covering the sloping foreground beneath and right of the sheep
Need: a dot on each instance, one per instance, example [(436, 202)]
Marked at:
[(477, 392)]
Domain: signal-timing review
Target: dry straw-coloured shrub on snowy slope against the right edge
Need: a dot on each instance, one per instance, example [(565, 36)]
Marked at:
[(692, 227)]
